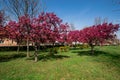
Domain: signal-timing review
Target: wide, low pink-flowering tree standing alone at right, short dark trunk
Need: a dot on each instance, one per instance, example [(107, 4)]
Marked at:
[(98, 34)]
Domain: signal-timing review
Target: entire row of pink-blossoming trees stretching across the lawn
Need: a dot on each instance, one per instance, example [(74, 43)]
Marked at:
[(47, 28)]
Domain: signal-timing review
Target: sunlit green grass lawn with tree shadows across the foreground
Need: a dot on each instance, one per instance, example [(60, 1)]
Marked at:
[(72, 65)]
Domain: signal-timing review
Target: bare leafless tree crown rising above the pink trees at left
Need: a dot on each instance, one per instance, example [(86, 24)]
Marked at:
[(21, 7)]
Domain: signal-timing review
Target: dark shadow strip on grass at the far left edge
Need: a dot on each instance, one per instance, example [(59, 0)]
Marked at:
[(5, 58)]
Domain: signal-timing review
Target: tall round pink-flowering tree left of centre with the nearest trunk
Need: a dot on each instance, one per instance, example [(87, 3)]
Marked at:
[(45, 29)]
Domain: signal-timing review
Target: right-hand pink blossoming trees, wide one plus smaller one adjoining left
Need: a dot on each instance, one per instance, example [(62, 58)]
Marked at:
[(94, 35)]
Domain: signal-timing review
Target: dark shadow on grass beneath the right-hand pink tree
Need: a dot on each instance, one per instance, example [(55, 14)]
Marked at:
[(102, 56)]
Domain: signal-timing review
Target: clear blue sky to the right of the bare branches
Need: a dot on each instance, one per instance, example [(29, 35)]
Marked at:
[(82, 13)]
